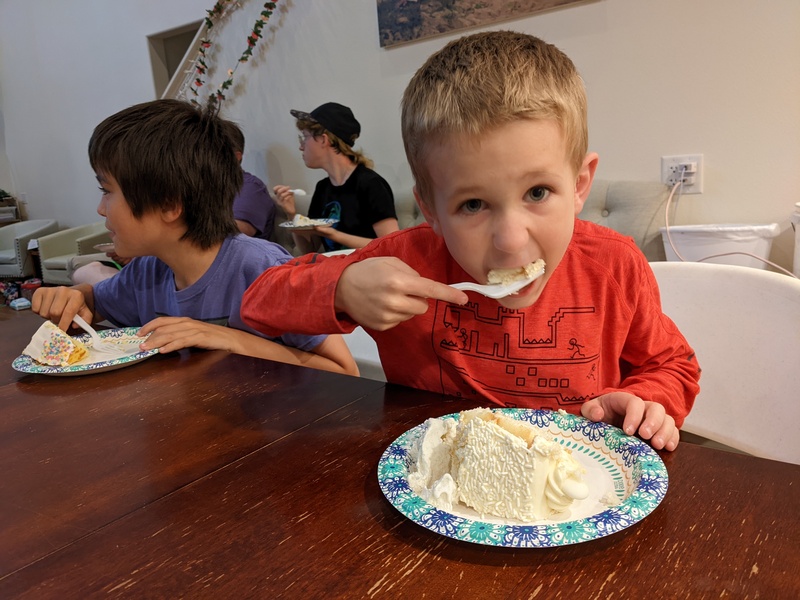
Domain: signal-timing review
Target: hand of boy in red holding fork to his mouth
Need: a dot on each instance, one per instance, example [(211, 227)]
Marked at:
[(382, 292)]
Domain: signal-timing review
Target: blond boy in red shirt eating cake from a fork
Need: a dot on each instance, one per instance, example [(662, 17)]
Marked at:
[(495, 131)]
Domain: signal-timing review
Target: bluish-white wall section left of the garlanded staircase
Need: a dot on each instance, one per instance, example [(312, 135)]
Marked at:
[(64, 67)]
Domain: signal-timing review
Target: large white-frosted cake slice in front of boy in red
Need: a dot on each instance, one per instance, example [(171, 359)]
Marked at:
[(498, 466)]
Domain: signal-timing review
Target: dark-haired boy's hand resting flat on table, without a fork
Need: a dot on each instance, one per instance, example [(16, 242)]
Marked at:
[(168, 334)]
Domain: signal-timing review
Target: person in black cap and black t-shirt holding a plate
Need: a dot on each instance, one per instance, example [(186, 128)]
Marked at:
[(356, 196)]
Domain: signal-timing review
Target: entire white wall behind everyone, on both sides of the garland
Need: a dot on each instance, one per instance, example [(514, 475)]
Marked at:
[(718, 77)]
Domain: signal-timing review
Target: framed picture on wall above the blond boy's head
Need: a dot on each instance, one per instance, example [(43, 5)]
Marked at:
[(401, 21)]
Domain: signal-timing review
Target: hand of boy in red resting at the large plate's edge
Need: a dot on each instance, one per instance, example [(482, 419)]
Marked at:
[(634, 415)]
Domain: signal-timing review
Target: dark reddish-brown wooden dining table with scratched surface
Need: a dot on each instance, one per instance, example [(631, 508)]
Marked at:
[(202, 474)]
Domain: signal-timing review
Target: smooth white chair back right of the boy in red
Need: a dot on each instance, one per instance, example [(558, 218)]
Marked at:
[(744, 325)]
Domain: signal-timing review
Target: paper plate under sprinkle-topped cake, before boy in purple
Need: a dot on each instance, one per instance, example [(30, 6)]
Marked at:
[(125, 339)]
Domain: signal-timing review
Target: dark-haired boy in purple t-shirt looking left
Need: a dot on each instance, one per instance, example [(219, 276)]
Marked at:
[(168, 174)]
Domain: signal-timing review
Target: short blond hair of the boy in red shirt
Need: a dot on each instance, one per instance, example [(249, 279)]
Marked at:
[(488, 79)]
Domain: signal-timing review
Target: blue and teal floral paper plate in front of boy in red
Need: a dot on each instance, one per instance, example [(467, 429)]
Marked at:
[(627, 481)]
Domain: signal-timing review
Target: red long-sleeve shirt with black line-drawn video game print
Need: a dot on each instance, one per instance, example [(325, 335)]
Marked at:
[(597, 326)]
